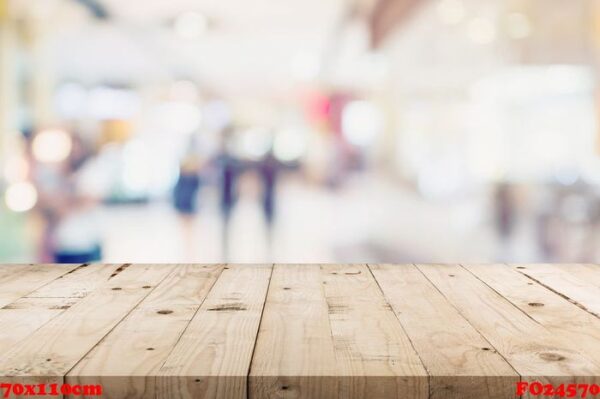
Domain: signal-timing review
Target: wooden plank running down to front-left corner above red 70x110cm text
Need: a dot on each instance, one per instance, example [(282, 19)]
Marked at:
[(51, 351)]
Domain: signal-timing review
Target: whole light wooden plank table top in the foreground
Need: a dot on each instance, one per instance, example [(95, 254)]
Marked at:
[(300, 331)]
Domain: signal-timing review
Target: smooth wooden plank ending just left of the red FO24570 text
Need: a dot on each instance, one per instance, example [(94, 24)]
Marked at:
[(461, 363)]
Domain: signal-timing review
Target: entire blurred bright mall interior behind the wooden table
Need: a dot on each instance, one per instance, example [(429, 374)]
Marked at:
[(299, 130)]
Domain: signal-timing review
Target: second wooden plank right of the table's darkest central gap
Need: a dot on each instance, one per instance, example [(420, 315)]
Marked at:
[(372, 349)]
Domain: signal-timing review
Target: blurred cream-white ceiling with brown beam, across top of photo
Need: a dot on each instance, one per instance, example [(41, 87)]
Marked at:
[(260, 47)]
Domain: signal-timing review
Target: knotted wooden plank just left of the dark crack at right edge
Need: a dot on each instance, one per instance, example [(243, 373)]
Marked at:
[(562, 318)]
